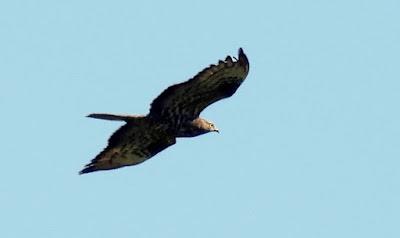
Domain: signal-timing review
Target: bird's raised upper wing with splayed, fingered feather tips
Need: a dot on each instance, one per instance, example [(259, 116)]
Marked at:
[(185, 101)]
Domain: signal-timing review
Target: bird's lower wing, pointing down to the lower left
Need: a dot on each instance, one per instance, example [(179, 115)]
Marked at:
[(131, 144)]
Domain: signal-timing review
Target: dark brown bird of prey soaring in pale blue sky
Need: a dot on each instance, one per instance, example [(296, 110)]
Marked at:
[(174, 113)]
